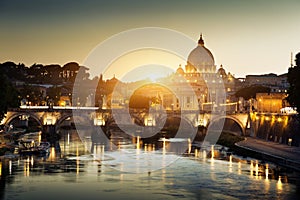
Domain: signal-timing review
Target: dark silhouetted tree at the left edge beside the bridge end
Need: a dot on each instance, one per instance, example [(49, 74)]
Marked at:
[(9, 96)]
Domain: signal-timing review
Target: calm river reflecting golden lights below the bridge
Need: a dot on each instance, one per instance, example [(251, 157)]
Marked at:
[(72, 172)]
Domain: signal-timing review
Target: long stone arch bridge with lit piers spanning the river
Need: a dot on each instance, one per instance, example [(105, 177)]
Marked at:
[(94, 116)]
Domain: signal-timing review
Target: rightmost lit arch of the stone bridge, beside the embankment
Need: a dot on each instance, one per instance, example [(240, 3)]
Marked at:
[(237, 124)]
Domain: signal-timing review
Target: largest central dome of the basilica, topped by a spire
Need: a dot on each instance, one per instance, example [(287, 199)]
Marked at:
[(200, 59)]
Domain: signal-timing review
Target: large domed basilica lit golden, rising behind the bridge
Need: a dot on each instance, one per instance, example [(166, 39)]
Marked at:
[(211, 88)]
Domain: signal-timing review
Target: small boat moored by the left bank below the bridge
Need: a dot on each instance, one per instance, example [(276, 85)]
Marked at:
[(29, 147)]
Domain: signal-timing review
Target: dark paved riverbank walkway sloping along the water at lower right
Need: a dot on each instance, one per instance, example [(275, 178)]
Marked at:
[(279, 154)]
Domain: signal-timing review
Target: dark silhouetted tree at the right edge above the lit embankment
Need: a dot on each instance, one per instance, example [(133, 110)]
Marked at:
[(294, 81)]
